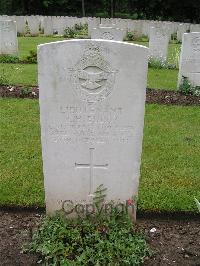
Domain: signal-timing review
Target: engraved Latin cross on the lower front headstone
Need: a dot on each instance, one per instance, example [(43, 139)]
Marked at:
[(91, 166)]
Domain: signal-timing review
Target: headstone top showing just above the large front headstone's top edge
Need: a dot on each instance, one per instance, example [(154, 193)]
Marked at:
[(108, 33)]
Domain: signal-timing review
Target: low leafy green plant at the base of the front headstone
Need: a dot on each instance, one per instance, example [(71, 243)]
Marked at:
[(88, 241)]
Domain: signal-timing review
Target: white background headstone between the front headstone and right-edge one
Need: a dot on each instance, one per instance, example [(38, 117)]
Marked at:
[(158, 43)]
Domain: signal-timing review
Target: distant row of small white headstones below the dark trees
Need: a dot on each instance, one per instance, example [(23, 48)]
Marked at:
[(51, 24)]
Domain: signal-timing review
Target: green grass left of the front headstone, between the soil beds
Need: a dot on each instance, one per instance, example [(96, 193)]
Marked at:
[(21, 179)]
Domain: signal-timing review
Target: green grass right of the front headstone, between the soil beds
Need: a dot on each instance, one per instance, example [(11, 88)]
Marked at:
[(170, 161)]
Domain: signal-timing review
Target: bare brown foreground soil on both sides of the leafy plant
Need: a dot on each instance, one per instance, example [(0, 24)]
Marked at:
[(174, 242)]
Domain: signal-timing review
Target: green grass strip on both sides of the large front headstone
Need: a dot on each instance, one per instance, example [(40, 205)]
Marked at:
[(170, 161)]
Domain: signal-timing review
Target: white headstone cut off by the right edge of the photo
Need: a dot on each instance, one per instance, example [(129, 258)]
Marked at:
[(190, 58)]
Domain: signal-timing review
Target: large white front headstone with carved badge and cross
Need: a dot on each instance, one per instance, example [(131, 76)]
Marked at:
[(92, 98)]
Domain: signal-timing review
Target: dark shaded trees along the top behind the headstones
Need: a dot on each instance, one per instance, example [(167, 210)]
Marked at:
[(174, 10)]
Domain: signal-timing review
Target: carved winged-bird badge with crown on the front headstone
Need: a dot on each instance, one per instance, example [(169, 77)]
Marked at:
[(93, 77)]
